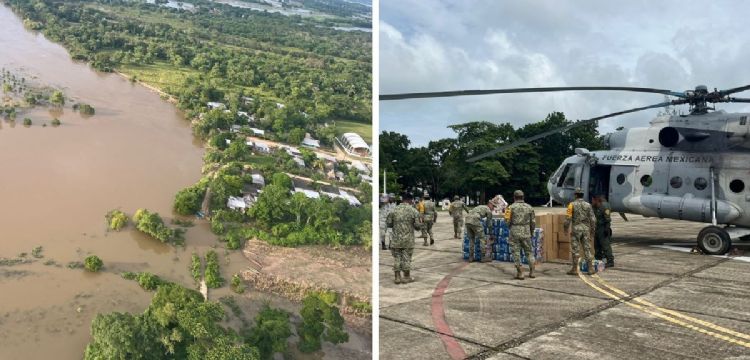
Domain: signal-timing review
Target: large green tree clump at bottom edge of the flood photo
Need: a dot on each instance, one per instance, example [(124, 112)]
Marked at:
[(177, 325)]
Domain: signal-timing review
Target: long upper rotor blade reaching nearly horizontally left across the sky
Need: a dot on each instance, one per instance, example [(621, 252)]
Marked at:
[(424, 95)]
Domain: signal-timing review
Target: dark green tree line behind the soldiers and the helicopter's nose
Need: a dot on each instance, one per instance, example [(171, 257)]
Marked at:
[(441, 166)]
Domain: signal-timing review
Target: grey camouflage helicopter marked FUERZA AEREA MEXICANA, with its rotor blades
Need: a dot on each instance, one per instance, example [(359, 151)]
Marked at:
[(691, 167)]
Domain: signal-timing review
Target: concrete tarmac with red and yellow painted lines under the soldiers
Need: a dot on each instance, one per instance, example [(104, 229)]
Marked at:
[(657, 303)]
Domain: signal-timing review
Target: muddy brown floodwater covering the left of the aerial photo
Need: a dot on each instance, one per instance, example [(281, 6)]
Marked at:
[(56, 184)]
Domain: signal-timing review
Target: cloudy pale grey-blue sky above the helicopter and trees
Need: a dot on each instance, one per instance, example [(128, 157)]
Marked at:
[(443, 45)]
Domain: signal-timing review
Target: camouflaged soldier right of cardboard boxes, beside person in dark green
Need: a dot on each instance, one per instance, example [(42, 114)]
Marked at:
[(581, 215)]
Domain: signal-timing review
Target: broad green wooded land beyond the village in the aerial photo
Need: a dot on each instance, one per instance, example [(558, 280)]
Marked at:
[(222, 53)]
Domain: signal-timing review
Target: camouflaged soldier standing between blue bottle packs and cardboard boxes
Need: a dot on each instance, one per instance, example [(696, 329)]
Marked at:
[(520, 219)]
